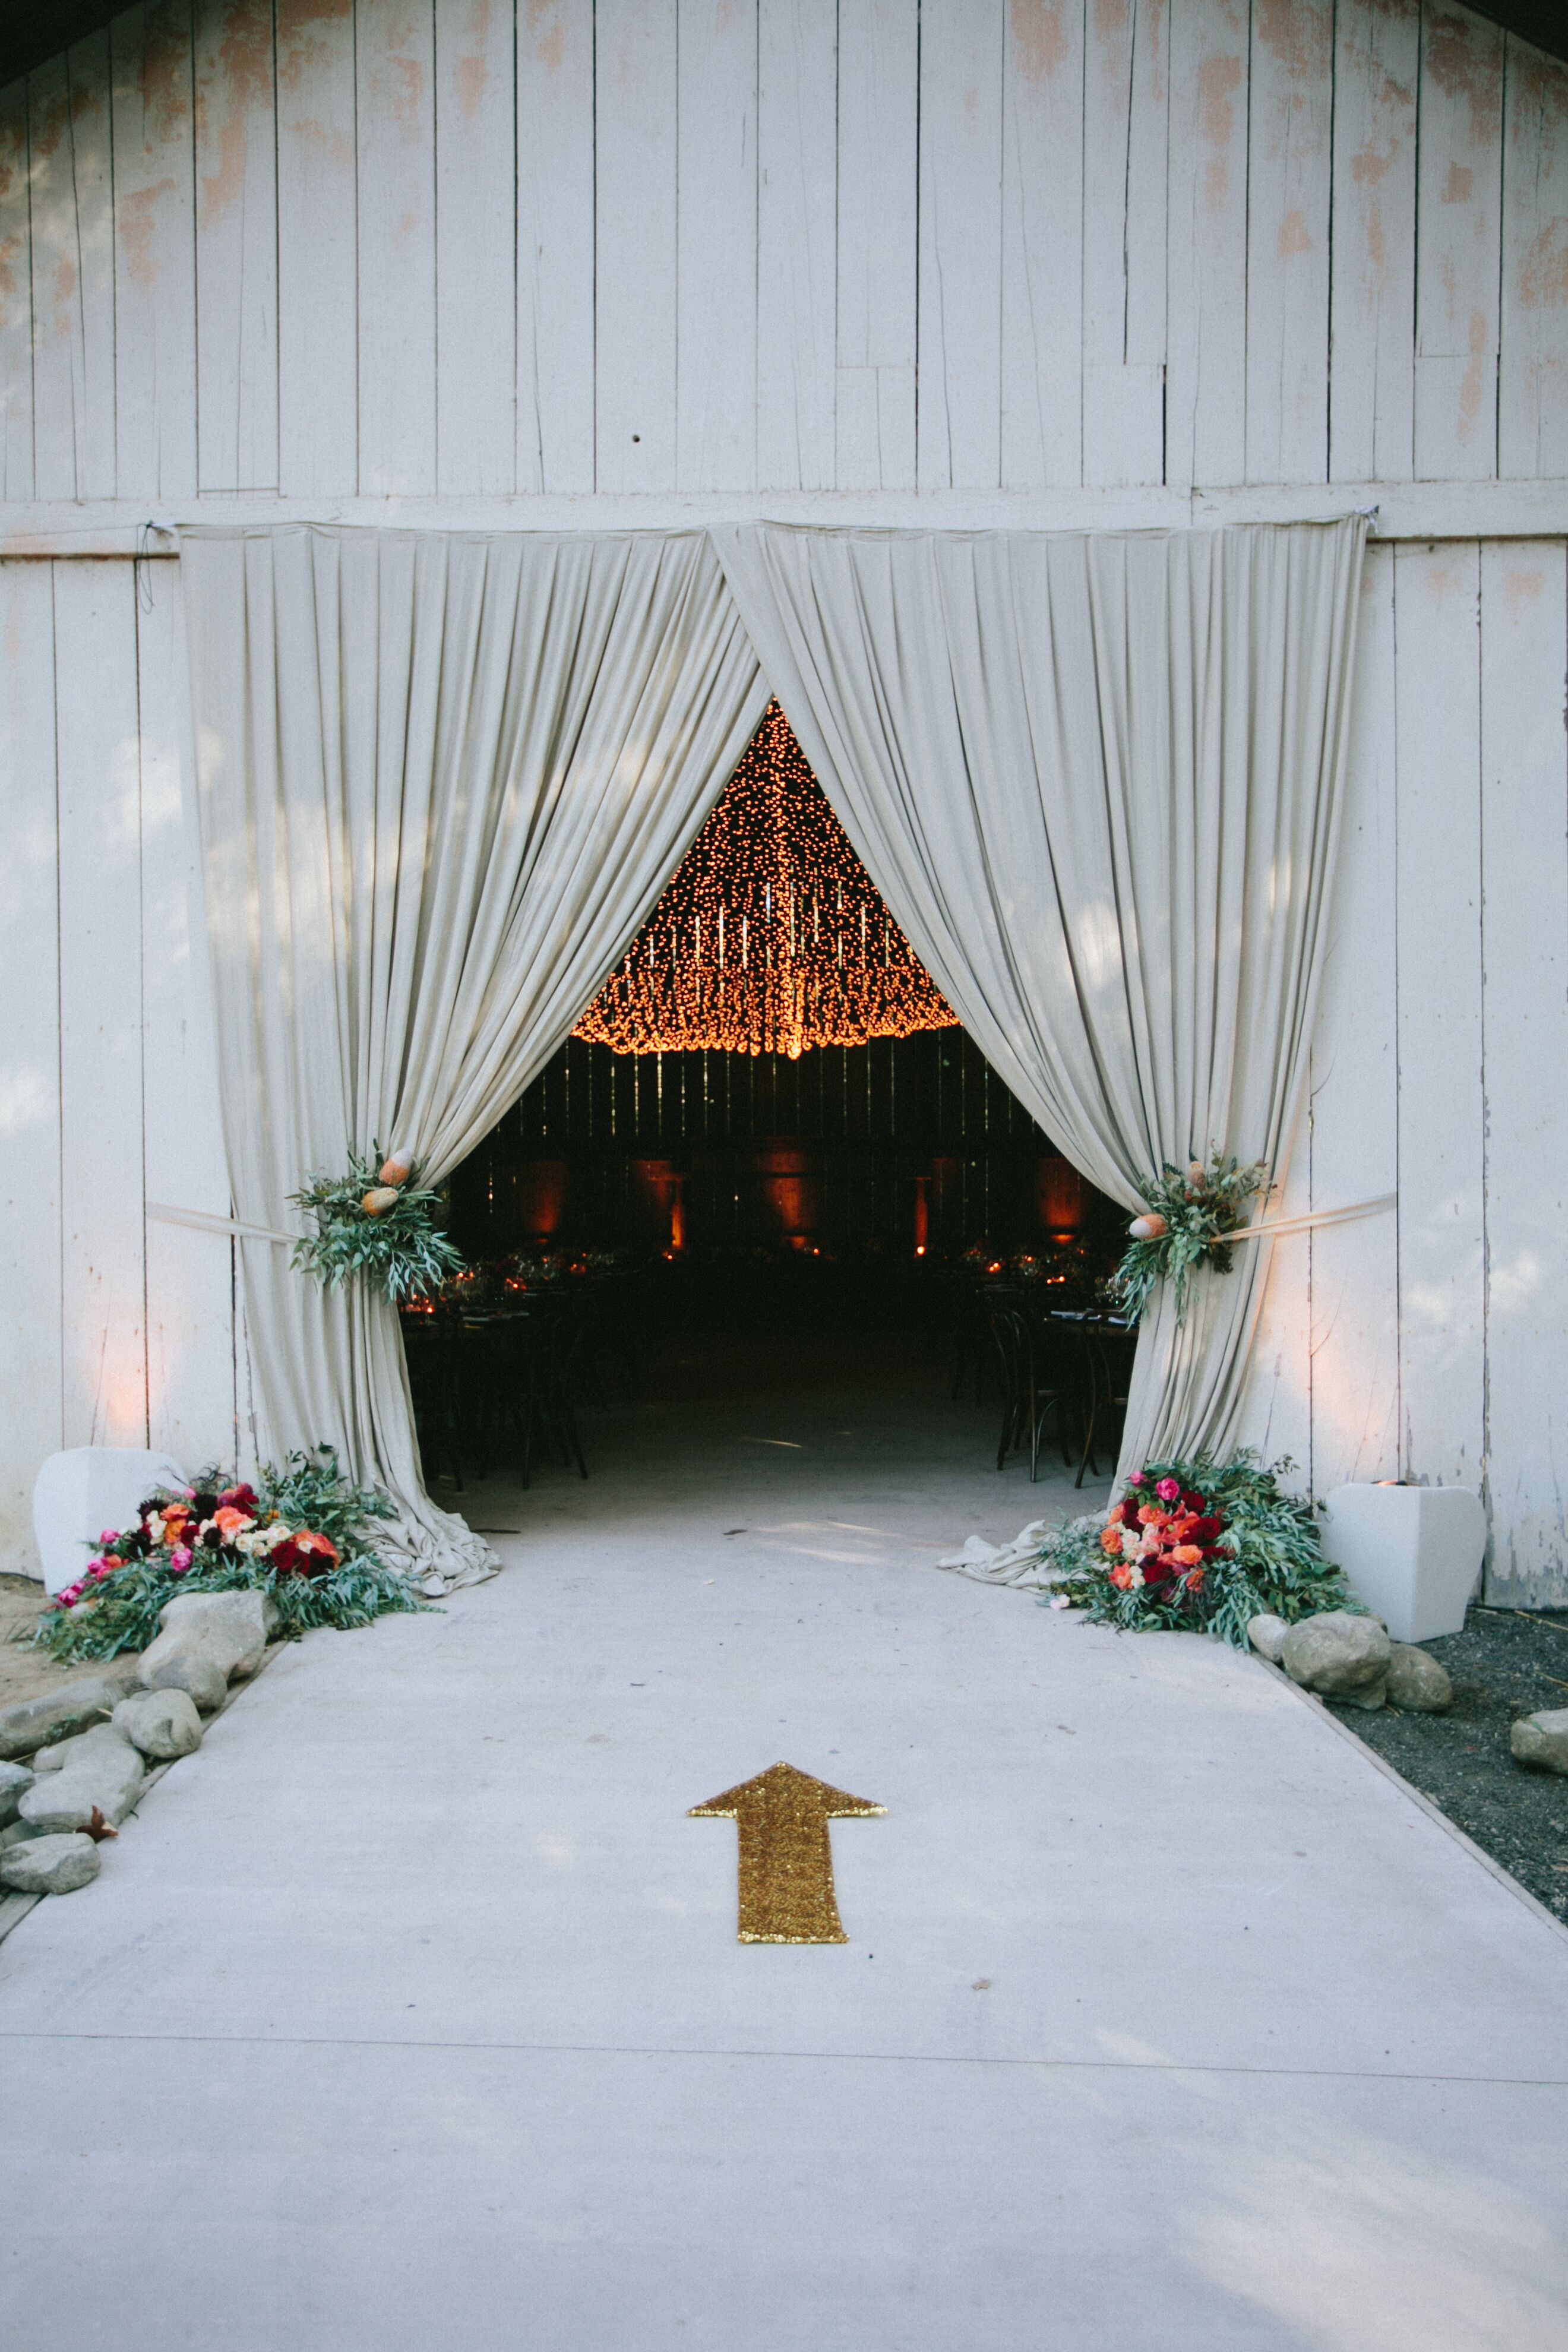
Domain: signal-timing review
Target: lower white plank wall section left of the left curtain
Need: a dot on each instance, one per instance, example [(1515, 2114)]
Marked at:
[(119, 1328)]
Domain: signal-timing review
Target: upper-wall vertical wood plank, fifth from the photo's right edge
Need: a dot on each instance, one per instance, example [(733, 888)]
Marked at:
[(1207, 246)]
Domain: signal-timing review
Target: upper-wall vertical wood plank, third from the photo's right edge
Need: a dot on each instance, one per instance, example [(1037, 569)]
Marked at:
[(1372, 410)]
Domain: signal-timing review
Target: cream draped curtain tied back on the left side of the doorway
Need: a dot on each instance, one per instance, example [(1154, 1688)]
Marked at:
[(441, 780)]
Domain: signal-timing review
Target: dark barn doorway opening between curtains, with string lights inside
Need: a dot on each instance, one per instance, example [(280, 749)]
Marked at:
[(768, 1175)]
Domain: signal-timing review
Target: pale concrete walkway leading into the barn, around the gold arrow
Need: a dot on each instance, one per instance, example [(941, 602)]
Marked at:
[(410, 2014)]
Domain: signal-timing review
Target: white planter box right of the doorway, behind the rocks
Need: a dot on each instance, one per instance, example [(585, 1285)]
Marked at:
[(1412, 1553)]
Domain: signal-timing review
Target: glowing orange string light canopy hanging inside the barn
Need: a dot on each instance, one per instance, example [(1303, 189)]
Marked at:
[(770, 935)]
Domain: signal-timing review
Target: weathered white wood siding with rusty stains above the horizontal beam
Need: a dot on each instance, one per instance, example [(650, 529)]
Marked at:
[(471, 248)]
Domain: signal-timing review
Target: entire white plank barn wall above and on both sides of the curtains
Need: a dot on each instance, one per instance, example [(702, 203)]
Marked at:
[(979, 260)]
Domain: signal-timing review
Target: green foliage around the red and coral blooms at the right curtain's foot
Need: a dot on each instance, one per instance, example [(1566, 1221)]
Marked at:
[(1266, 1563)]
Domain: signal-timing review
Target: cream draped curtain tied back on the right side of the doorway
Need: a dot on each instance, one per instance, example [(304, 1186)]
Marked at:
[(1099, 784)]
